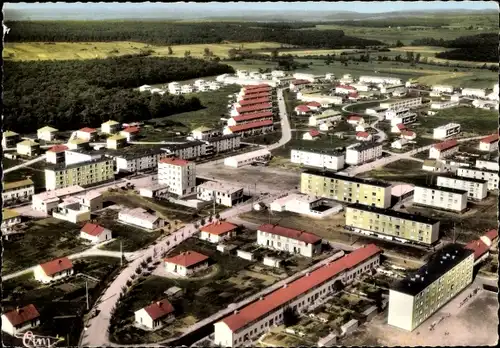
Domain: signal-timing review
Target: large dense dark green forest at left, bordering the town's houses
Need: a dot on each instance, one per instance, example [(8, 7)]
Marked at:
[(73, 94)]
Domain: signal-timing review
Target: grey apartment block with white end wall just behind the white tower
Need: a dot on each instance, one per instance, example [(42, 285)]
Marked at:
[(138, 159)]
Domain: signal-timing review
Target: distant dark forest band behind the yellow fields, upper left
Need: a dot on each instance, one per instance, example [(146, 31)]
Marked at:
[(169, 33)]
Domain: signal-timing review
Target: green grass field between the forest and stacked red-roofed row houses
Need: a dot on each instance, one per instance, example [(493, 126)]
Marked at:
[(215, 103)]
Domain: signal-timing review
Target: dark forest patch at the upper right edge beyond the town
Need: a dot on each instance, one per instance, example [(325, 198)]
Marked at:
[(476, 48)]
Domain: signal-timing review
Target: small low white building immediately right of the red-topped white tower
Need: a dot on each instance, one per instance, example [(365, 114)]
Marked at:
[(222, 193)]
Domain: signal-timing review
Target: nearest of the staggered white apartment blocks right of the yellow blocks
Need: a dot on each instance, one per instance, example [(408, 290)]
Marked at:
[(440, 197)]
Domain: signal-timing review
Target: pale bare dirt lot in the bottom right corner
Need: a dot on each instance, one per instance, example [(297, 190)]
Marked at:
[(475, 324)]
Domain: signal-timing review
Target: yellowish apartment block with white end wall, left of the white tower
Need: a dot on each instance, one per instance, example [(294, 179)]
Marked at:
[(82, 174)]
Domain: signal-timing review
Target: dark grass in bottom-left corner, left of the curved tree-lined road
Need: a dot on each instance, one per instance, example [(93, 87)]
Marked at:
[(61, 305)]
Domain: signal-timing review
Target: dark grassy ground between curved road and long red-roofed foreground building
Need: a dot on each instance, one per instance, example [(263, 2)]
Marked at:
[(200, 298)]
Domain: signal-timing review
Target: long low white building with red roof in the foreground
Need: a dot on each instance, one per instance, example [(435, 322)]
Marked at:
[(250, 322)]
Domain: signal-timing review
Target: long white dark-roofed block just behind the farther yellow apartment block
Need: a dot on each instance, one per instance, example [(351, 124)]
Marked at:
[(328, 159)]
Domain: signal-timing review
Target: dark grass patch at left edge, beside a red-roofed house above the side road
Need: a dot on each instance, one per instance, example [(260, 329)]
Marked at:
[(43, 241)]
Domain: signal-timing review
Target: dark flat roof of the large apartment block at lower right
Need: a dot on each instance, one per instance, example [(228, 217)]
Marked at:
[(439, 264)]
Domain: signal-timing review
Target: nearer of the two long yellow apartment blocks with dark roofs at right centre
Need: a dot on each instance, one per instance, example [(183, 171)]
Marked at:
[(391, 224)]
